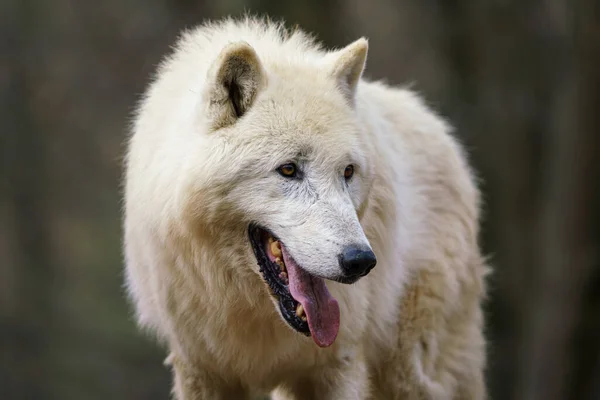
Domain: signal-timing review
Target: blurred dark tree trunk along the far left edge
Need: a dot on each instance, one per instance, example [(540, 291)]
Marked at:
[(29, 311)]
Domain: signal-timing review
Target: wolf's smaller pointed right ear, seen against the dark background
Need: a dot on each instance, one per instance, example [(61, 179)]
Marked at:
[(348, 65)]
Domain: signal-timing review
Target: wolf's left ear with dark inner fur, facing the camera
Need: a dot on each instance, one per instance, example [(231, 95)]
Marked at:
[(234, 80)]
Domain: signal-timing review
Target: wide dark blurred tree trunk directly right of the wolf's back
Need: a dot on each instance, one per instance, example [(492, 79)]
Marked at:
[(496, 61)]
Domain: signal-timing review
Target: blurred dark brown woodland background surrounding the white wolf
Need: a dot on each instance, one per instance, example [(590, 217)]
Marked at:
[(520, 80)]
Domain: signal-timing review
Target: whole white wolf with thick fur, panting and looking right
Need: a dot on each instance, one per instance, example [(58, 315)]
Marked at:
[(265, 179)]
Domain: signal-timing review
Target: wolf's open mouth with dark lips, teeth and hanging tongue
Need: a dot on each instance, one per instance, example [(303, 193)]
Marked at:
[(304, 300)]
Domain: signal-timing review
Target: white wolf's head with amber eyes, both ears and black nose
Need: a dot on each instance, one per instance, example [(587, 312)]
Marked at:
[(288, 161)]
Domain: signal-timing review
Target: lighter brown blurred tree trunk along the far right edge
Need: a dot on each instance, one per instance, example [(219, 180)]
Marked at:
[(566, 241)]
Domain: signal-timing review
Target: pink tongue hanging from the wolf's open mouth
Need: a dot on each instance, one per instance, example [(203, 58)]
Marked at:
[(321, 308)]
